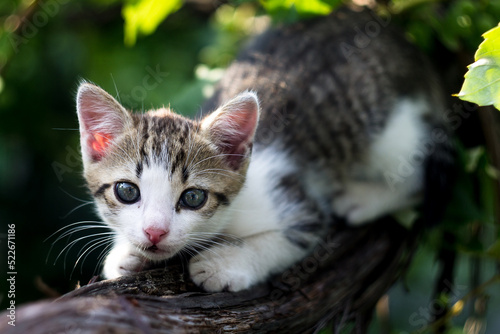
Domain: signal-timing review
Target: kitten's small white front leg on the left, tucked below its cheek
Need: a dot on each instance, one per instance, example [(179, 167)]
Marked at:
[(124, 259)]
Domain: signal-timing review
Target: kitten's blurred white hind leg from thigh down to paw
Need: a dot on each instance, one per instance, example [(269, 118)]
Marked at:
[(391, 177)]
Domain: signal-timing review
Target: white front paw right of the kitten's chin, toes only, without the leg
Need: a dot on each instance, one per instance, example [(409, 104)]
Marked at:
[(216, 273)]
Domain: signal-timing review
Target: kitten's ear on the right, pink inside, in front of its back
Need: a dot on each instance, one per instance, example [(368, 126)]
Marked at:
[(232, 127)]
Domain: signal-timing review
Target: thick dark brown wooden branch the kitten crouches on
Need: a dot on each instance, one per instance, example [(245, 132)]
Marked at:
[(339, 284)]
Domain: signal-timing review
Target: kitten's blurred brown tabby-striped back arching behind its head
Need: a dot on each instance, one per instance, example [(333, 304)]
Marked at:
[(327, 86)]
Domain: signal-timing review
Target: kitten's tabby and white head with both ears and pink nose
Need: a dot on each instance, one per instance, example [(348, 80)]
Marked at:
[(162, 181)]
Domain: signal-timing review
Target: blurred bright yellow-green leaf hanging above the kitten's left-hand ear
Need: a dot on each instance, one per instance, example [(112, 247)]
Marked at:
[(144, 16)]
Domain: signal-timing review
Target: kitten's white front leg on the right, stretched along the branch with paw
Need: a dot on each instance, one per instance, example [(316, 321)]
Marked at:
[(235, 267)]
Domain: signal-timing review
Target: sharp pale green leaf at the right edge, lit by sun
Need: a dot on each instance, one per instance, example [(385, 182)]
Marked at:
[(482, 81)]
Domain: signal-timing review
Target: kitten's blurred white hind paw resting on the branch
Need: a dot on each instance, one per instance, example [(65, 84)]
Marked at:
[(364, 202)]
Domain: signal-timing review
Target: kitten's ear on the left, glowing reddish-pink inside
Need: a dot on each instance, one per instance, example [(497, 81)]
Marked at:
[(101, 119)]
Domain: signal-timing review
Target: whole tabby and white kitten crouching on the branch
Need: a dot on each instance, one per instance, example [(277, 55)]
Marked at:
[(307, 126)]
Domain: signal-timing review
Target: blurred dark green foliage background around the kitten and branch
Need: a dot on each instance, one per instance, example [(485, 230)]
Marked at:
[(148, 60)]
